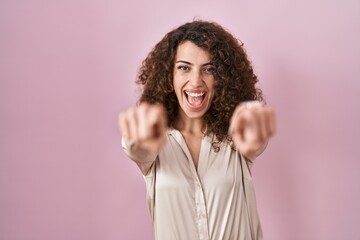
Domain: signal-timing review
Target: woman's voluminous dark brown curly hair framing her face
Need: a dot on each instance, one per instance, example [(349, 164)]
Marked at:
[(235, 78)]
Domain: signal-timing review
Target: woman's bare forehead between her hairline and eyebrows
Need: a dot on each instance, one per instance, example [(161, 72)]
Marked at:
[(190, 52)]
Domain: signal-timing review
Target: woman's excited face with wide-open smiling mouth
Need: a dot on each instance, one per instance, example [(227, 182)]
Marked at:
[(194, 81)]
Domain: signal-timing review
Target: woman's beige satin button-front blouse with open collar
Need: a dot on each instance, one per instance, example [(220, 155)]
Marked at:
[(215, 201)]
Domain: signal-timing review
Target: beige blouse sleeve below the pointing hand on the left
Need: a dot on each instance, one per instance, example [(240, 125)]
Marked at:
[(143, 158)]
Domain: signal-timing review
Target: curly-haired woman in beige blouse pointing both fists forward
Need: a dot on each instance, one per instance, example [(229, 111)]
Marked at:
[(198, 127)]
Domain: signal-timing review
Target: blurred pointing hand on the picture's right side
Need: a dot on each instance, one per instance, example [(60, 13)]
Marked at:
[(251, 126)]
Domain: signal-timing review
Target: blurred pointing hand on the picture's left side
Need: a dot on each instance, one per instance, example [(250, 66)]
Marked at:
[(144, 125)]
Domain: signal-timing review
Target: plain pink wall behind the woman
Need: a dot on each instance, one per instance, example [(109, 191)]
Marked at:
[(68, 67)]
